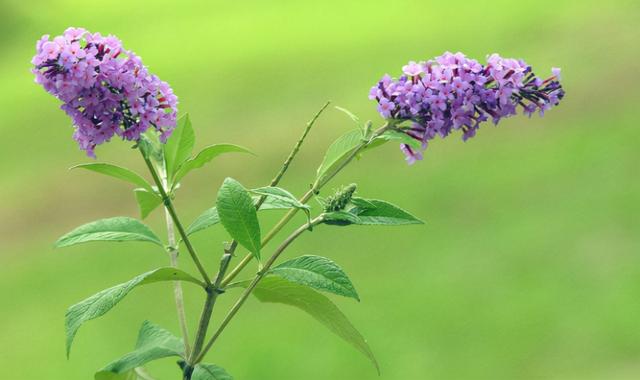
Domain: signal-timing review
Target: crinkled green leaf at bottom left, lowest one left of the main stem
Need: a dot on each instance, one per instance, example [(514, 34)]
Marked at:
[(153, 343)]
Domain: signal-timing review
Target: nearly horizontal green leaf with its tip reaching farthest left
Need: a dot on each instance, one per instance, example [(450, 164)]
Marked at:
[(120, 228)]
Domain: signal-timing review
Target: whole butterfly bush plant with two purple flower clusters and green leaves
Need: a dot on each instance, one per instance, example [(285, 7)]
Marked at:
[(109, 93)]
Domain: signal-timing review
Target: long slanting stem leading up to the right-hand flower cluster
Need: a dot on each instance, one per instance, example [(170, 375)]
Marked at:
[(305, 198)]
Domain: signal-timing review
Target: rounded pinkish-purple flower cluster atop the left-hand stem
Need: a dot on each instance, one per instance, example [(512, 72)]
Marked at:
[(106, 90)]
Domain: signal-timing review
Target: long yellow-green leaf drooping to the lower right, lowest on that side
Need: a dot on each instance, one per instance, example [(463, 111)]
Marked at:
[(277, 290)]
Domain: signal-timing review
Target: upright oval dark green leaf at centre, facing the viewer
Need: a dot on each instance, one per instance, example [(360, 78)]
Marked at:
[(238, 215)]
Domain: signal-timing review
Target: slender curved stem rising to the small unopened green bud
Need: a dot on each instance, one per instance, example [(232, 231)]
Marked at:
[(243, 297)]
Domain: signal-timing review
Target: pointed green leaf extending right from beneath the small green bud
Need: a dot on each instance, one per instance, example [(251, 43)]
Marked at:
[(371, 212)]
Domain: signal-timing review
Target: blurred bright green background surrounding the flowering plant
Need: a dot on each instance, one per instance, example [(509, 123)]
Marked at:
[(528, 266)]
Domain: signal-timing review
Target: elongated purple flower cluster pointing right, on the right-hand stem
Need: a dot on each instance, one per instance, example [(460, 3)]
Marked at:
[(453, 92)]
